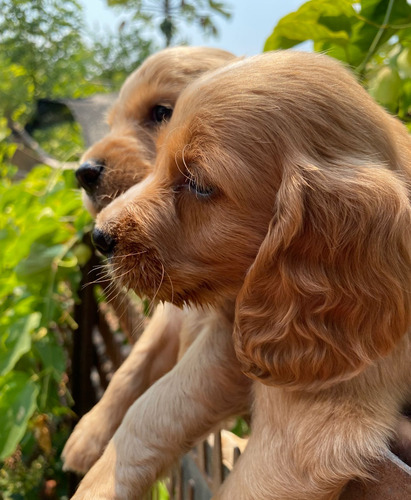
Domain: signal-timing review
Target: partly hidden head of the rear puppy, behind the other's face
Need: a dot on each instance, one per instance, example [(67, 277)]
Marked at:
[(146, 101)]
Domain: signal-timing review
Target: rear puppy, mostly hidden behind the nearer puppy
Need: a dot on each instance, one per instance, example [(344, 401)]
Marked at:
[(120, 160)]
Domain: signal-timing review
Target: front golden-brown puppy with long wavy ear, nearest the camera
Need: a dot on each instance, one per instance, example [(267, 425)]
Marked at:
[(280, 199)]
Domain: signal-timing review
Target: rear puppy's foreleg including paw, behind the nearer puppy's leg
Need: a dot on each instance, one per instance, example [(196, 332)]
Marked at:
[(153, 355)]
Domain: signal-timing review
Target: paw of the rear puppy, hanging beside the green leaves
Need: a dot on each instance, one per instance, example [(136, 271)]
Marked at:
[(87, 442)]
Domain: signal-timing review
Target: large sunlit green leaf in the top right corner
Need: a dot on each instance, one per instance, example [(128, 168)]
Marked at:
[(339, 30)]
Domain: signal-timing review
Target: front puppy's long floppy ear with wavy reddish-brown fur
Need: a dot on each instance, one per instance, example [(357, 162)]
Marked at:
[(328, 292)]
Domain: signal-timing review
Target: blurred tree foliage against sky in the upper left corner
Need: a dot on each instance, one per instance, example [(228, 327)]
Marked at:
[(46, 53)]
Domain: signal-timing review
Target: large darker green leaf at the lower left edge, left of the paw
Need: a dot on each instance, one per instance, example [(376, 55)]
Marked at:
[(18, 396)]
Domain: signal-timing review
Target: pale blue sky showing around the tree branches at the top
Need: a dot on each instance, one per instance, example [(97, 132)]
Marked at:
[(251, 23)]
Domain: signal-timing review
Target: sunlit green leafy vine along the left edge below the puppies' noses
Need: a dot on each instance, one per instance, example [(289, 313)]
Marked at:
[(42, 223)]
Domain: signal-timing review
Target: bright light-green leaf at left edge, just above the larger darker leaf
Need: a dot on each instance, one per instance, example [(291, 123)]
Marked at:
[(16, 341)]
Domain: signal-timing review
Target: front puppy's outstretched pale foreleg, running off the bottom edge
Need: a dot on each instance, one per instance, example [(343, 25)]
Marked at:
[(205, 387)]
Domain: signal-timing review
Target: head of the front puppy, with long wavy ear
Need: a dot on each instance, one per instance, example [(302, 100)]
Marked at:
[(280, 184)]
